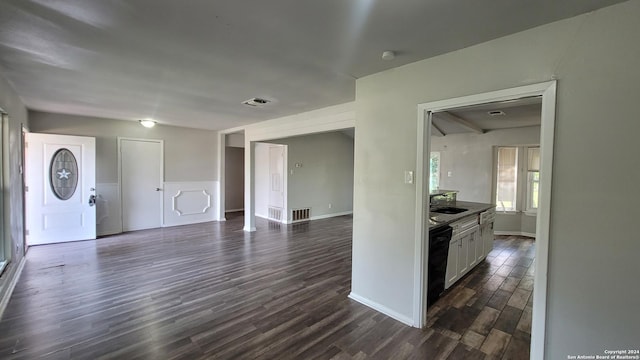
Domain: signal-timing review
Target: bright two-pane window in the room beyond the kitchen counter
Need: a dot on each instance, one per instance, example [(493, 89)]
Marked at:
[(517, 186)]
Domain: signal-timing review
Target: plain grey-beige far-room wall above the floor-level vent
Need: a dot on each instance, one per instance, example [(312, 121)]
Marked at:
[(325, 177)]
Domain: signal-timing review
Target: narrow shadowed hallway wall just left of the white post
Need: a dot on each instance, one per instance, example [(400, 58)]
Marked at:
[(234, 178)]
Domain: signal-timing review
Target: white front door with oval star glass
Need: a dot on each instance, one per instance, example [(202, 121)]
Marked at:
[(60, 176)]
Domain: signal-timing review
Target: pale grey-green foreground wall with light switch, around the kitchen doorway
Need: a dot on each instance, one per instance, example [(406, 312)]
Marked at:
[(594, 58)]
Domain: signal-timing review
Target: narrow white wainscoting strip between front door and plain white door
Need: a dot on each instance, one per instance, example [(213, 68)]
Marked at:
[(108, 209)]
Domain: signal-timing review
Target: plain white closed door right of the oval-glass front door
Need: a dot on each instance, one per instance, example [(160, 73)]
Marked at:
[(141, 183)]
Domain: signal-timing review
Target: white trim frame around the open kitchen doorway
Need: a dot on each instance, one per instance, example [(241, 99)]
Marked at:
[(548, 92)]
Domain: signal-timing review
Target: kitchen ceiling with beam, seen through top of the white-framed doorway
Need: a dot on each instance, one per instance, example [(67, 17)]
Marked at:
[(479, 119)]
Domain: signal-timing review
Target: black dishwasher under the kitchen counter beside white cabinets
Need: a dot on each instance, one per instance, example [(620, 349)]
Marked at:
[(438, 252)]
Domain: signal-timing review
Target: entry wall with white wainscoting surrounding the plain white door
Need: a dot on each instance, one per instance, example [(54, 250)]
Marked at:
[(190, 176)]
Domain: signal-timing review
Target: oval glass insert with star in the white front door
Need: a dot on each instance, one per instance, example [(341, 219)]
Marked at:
[(63, 174)]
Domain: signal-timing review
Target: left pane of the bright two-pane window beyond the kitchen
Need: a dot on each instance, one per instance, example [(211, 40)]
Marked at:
[(507, 180)]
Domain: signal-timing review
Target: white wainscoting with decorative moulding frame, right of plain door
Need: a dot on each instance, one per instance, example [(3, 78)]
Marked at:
[(190, 202)]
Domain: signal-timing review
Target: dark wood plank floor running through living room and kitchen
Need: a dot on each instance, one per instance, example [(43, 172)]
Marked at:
[(212, 291)]
